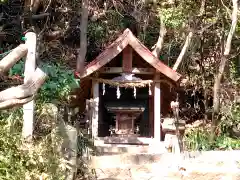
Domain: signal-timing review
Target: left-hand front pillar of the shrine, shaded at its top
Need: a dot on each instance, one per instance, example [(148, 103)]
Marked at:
[(95, 109)]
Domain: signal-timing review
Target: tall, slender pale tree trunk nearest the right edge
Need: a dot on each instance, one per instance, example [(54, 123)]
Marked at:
[(218, 77)]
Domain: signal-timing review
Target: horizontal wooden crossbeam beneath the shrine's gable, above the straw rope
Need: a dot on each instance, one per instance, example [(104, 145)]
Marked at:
[(117, 70)]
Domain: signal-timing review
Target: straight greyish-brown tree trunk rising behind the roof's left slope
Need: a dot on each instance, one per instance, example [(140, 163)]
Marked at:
[(83, 37)]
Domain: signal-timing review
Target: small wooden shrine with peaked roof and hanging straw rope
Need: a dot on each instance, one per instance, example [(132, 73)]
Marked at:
[(128, 90)]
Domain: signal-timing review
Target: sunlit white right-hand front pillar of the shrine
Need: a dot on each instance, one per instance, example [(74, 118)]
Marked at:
[(157, 112)]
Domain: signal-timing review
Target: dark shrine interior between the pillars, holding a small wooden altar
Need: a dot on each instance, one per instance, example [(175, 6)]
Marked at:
[(135, 107)]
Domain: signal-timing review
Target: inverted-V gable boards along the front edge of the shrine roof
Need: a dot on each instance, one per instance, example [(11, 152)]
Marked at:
[(127, 38)]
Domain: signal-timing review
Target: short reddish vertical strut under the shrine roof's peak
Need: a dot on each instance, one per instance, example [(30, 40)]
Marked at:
[(127, 60)]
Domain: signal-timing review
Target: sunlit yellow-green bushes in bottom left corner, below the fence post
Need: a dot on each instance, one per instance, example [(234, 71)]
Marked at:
[(19, 162)]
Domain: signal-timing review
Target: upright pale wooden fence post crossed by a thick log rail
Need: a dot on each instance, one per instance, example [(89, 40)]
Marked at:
[(28, 109)]
